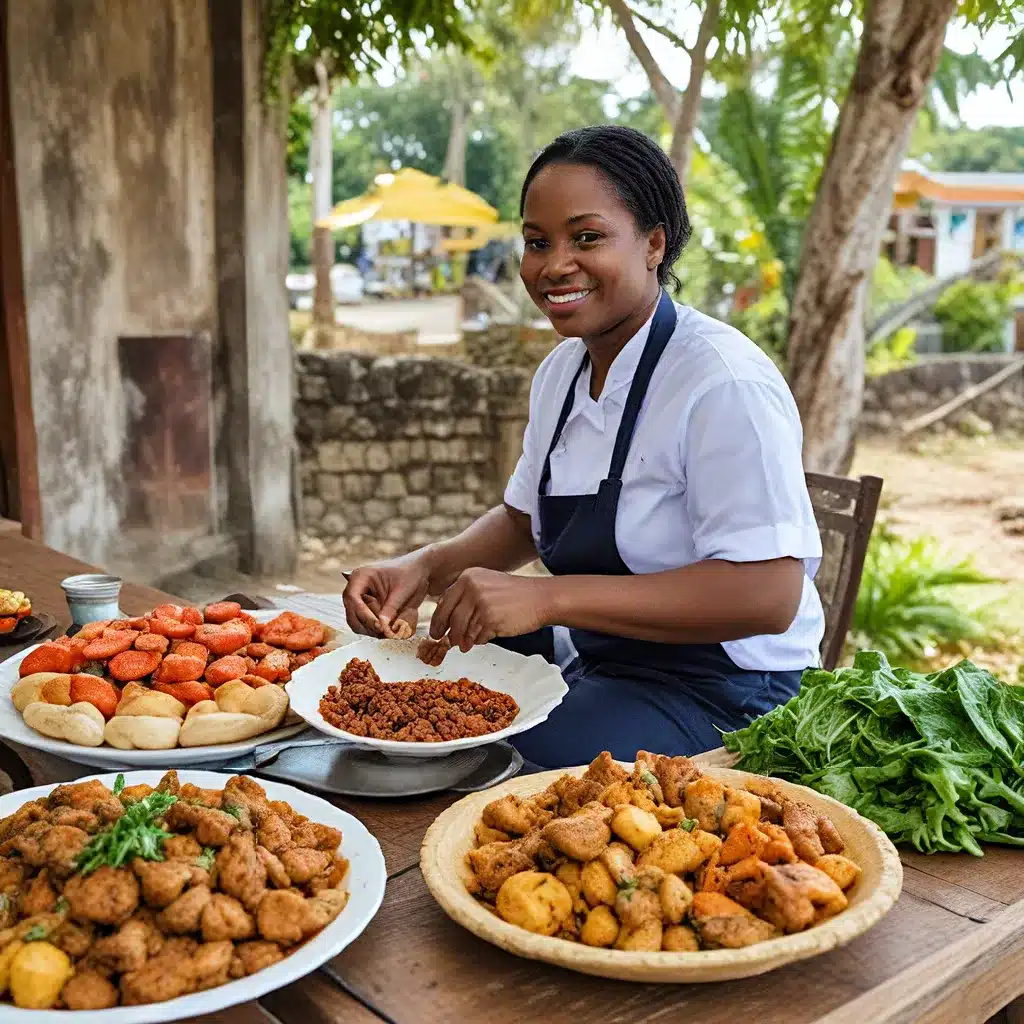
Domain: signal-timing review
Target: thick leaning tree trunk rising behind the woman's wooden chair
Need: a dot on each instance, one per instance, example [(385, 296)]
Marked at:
[(900, 51)]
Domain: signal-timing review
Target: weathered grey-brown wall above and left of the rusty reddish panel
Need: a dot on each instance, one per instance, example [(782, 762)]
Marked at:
[(112, 112)]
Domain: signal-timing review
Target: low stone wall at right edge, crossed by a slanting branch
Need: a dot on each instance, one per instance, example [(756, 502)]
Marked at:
[(892, 399)]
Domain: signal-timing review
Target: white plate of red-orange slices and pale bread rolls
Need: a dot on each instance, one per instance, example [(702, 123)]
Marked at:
[(177, 687)]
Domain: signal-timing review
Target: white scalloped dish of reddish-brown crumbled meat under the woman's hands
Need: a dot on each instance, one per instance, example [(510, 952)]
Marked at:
[(399, 698)]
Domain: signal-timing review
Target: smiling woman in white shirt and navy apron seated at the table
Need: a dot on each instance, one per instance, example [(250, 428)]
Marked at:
[(661, 485)]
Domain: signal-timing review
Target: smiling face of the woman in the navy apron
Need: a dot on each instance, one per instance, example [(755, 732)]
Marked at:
[(586, 266)]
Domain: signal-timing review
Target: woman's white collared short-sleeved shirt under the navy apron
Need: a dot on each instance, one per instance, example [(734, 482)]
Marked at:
[(714, 471)]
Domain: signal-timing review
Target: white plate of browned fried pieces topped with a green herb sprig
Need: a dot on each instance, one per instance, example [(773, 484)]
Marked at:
[(149, 898)]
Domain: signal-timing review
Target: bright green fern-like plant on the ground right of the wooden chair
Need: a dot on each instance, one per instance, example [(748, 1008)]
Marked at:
[(911, 601)]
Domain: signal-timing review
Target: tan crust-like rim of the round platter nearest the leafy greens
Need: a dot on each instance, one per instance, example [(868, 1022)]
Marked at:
[(443, 860)]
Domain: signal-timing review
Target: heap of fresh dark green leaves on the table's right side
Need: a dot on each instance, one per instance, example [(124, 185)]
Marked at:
[(936, 760)]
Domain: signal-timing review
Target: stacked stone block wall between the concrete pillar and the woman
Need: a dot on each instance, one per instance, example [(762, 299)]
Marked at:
[(399, 452)]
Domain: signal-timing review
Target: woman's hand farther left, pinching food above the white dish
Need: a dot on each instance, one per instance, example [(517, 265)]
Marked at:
[(378, 596)]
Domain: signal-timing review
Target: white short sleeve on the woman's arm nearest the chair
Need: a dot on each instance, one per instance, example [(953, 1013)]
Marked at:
[(746, 490)]
